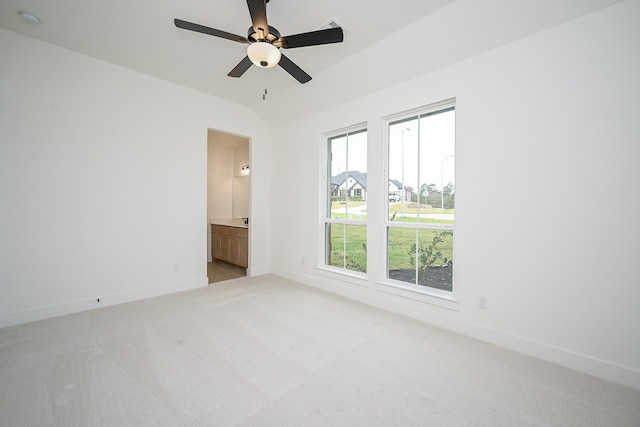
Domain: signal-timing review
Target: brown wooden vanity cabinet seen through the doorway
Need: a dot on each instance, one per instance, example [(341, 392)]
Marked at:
[(230, 244)]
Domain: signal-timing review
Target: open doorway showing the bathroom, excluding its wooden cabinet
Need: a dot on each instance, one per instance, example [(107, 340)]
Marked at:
[(228, 196)]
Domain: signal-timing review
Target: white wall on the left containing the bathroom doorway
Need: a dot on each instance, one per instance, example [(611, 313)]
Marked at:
[(103, 176)]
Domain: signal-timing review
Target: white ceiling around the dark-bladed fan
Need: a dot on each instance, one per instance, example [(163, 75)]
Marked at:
[(385, 41)]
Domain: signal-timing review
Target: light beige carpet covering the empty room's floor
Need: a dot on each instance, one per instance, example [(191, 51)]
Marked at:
[(266, 351)]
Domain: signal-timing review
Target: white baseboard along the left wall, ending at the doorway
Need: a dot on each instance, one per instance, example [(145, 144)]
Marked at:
[(77, 306)]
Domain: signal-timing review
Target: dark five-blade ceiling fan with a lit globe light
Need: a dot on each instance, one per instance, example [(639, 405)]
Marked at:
[(265, 42)]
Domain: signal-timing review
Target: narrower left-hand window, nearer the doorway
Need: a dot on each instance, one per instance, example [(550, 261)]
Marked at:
[(346, 202)]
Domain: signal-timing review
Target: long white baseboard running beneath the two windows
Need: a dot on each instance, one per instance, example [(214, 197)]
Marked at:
[(580, 362)]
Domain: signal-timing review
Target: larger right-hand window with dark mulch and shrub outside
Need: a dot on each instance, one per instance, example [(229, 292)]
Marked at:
[(421, 205)]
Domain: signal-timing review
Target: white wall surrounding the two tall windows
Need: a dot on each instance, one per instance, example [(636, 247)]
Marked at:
[(552, 122)]
